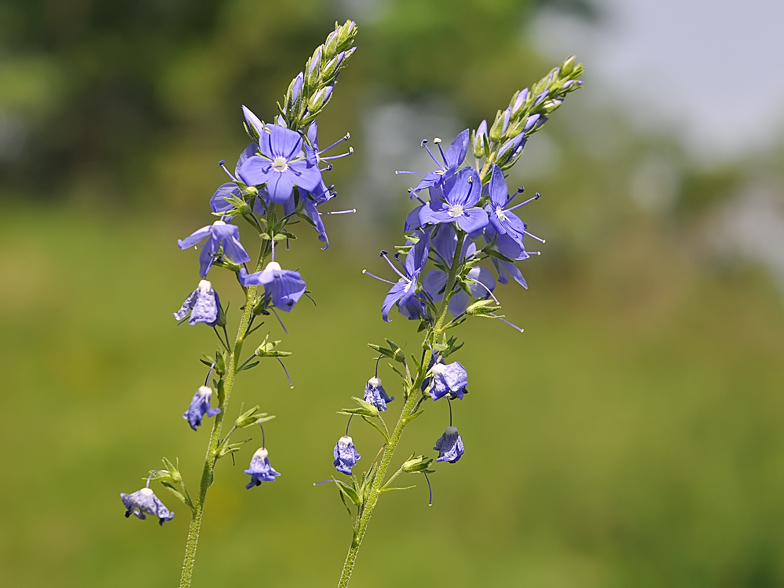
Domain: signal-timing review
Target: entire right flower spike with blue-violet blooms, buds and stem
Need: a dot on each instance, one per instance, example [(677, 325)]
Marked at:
[(463, 238)]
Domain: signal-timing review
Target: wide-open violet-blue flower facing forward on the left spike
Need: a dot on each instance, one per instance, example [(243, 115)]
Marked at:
[(281, 165)]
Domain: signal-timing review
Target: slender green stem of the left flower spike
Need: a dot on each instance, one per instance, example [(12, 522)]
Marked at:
[(212, 448)]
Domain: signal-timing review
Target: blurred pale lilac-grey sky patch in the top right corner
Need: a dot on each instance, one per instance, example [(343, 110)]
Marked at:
[(710, 70)]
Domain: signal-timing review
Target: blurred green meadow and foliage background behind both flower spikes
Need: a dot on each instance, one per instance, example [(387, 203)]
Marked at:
[(632, 436)]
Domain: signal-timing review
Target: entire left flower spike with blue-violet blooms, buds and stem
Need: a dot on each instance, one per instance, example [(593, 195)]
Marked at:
[(278, 178)]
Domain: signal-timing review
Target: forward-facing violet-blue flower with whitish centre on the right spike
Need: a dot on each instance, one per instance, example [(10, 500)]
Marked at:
[(461, 194)]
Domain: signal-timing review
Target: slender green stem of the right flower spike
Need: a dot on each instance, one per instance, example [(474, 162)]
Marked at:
[(411, 401)]
